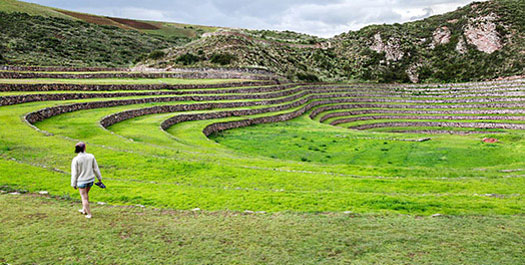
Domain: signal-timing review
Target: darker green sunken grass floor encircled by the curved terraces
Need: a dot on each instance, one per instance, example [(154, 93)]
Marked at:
[(302, 140)]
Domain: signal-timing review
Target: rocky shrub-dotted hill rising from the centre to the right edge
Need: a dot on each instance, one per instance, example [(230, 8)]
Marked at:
[(477, 42)]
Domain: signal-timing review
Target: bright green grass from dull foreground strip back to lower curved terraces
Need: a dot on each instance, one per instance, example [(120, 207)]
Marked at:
[(184, 169)]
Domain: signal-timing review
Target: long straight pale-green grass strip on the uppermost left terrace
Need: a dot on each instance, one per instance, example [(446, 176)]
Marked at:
[(120, 81)]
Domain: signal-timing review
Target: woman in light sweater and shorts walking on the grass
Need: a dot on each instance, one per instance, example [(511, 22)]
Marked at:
[(84, 169)]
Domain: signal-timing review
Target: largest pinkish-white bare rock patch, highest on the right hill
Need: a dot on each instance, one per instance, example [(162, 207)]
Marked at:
[(481, 32)]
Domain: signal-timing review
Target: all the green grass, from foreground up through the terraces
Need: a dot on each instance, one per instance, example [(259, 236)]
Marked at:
[(303, 173)]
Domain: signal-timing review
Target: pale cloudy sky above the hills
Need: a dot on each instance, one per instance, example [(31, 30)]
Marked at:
[(318, 17)]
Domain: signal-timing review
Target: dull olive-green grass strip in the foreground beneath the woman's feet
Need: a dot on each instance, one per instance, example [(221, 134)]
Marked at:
[(46, 230)]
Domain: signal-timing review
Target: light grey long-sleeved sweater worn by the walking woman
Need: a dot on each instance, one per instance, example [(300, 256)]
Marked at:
[(84, 169)]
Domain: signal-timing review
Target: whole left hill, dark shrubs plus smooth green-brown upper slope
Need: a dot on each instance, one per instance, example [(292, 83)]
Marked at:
[(32, 34)]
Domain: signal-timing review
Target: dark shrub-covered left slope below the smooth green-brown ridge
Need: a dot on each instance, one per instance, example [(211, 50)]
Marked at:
[(35, 40)]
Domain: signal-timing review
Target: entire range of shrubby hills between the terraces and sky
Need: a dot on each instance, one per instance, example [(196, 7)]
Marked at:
[(477, 42)]
